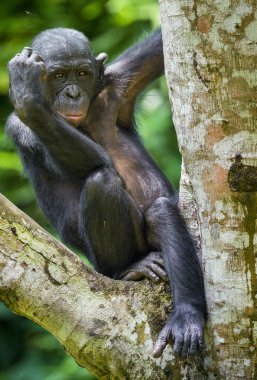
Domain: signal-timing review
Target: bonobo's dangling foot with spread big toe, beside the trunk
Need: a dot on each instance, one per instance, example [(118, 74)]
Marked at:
[(185, 328)]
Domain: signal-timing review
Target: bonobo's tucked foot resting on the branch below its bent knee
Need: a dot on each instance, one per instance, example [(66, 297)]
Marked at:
[(151, 267)]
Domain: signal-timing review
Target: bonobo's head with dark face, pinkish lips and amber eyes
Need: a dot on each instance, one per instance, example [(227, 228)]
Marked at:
[(72, 72)]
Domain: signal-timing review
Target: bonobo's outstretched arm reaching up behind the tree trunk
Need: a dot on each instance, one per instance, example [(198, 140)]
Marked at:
[(134, 69)]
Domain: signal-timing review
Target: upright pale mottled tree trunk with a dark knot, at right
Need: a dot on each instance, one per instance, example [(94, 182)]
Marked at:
[(211, 59)]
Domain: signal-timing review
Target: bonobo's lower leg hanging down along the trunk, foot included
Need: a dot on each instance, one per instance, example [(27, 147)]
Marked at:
[(166, 231)]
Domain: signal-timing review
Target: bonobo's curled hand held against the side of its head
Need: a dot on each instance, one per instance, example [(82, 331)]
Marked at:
[(26, 72)]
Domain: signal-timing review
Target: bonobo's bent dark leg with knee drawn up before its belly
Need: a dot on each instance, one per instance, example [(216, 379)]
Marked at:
[(110, 222)]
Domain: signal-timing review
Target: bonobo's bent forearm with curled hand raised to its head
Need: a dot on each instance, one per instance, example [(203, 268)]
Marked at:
[(74, 151)]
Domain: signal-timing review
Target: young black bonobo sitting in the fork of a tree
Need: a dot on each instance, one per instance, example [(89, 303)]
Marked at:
[(75, 132)]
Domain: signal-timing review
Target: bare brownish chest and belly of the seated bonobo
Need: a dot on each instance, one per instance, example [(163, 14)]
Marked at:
[(142, 178)]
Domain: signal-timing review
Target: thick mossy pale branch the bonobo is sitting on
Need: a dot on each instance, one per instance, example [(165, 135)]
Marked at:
[(105, 325)]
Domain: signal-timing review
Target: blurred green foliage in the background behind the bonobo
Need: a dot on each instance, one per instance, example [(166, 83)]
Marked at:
[(27, 352)]
